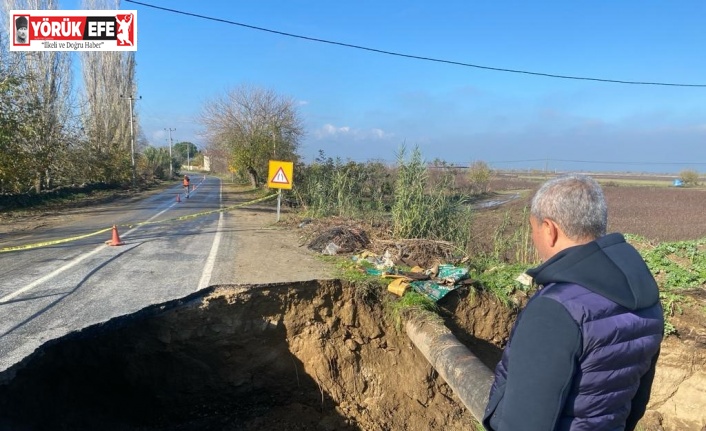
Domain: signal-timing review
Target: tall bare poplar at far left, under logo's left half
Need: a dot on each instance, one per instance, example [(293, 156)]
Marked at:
[(46, 91)]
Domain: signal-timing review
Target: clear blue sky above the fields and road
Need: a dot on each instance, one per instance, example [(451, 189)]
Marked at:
[(362, 105)]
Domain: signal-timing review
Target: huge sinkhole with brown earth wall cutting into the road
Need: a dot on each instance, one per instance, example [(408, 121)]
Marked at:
[(315, 355)]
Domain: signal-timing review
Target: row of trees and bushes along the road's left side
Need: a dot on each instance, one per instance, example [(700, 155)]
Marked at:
[(61, 130)]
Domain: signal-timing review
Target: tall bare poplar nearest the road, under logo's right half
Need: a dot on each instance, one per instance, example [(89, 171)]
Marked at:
[(109, 83)]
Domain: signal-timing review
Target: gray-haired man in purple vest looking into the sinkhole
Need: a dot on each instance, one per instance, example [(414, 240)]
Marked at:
[(582, 354)]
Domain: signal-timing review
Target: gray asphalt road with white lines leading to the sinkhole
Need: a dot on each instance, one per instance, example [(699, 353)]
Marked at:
[(48, 292)]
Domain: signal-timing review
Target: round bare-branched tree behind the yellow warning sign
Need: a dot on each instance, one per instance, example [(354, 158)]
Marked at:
[(253, 125)]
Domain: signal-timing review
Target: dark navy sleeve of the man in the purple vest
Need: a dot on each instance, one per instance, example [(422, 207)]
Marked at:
[(543, 358)]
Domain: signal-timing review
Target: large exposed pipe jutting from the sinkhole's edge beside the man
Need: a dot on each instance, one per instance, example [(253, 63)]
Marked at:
[(467, 376)]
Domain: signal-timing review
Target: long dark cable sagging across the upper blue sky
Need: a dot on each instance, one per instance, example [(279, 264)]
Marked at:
[(416, 57)]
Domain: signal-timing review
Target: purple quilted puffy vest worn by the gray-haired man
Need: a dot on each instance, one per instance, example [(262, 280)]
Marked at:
[(618, 348)]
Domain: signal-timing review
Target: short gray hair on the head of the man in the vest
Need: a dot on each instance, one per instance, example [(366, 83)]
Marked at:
[(574, 202)]
